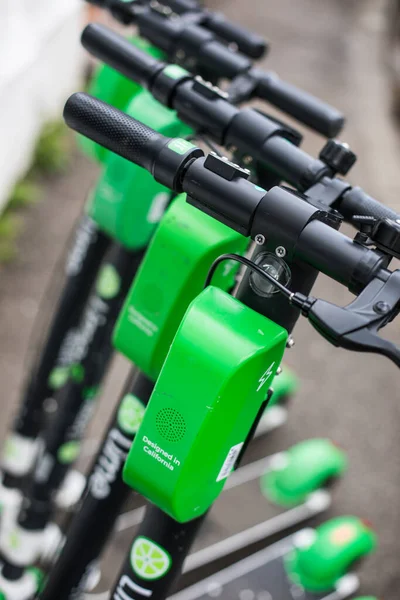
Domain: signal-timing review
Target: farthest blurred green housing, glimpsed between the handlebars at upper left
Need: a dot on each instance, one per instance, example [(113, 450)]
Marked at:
[(110, 86)]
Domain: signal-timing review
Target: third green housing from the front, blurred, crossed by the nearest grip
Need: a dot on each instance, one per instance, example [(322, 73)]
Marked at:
[(127, 203)]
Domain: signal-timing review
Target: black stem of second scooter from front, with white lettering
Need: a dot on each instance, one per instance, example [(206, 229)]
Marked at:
[(104, 498)]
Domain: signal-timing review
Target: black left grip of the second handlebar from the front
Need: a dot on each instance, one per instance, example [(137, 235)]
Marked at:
[(120, 54)]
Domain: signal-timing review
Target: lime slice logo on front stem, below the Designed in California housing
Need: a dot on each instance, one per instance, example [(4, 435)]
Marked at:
[(149, 561)]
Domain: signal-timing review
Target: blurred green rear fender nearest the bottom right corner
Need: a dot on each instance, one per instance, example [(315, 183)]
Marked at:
[(322, 556)]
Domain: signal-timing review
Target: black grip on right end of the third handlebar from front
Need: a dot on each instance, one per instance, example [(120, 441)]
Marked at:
[(304, 107)]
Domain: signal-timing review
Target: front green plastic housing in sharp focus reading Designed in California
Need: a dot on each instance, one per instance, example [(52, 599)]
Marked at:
[(211, 389)]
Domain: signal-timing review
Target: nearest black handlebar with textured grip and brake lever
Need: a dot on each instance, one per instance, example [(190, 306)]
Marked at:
[(221, 189)]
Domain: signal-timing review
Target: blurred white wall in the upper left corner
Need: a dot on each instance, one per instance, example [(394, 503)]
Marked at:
[(40, 62)]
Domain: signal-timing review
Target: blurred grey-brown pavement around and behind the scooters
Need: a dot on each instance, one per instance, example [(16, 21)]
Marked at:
[(332, 48)]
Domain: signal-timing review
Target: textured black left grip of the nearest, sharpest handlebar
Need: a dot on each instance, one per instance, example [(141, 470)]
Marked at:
[(114, 130)]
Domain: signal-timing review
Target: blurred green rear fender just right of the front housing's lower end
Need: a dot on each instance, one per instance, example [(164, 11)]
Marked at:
[(301, 470)]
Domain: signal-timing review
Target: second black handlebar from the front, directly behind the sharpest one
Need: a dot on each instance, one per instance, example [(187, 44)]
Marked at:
[(205, 109)]
